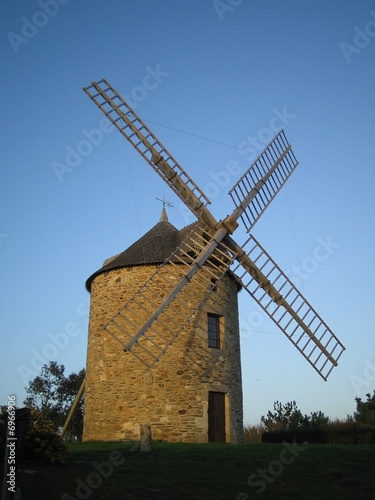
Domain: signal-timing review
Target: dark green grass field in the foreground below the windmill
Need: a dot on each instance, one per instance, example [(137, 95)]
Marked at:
[(205, 471)]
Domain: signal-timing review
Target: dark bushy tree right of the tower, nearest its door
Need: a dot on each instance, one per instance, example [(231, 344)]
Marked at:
[(285, 417)]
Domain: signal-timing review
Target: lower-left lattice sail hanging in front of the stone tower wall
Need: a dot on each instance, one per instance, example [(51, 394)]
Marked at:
[(146, 329)]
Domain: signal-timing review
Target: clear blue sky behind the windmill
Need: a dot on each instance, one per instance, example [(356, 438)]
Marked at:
[(212, 79)]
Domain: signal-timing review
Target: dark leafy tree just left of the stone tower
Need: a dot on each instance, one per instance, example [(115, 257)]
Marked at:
[(52, 394)]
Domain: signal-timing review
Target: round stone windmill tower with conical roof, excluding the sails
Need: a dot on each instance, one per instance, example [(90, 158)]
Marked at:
[(195, 393)]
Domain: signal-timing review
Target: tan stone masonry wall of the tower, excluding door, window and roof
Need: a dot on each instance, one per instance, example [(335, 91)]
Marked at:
[(122, 393)]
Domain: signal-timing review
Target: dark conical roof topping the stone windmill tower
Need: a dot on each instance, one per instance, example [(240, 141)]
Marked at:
[(153, 248)]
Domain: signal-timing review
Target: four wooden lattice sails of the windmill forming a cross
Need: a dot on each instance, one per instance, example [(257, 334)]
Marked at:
[(209, 252)]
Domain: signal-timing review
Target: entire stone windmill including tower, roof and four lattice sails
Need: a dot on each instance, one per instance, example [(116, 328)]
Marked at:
[(170, 302)]
